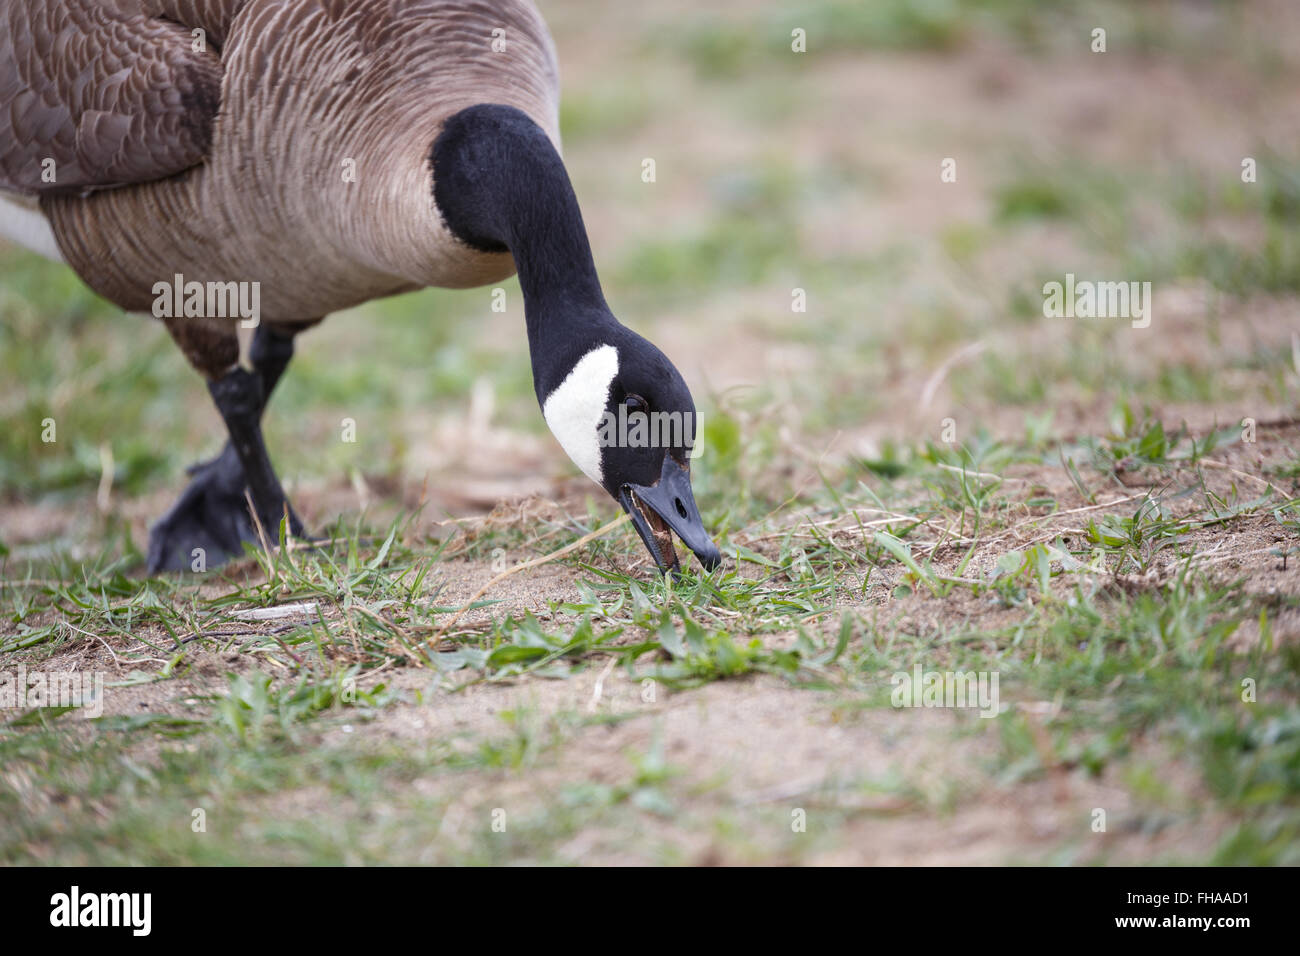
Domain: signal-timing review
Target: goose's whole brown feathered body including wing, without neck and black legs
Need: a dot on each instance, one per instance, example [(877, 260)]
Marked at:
[(307, 85)]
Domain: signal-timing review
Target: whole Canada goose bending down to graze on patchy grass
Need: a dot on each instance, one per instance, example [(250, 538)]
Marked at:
[(322, 154)]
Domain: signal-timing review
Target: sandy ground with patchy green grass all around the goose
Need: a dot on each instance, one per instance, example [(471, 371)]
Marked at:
[(920, 470)]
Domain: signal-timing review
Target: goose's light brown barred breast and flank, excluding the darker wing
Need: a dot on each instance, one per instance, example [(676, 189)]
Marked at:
[(317, 180)]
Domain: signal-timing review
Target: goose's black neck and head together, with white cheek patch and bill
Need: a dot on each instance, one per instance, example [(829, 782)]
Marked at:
[(617, 405)]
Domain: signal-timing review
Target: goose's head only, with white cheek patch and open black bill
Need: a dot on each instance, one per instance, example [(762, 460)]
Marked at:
[(625, 416)]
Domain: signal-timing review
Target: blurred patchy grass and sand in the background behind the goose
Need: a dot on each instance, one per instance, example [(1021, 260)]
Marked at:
[(775, 171)]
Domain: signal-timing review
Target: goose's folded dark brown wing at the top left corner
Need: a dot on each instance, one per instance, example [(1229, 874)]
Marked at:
[(107, 93)]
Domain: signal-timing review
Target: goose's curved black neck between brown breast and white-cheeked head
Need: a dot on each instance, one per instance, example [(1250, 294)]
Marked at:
[(501, 185)]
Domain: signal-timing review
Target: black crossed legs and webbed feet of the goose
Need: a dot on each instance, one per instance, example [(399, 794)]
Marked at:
[(210, 524)]
